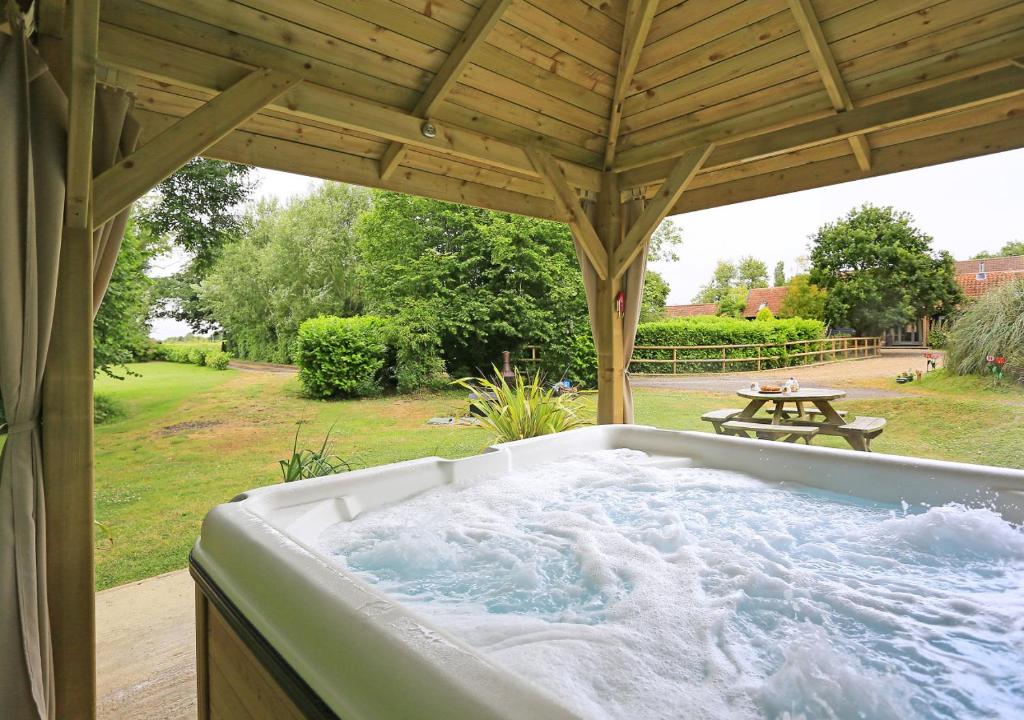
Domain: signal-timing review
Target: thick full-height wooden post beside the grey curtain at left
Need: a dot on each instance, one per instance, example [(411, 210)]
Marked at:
[(67, 412)]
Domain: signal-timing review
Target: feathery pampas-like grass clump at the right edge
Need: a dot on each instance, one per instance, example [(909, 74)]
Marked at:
[(993, 325)]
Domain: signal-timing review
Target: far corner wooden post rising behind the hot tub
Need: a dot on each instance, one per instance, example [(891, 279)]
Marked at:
[(611, 363)]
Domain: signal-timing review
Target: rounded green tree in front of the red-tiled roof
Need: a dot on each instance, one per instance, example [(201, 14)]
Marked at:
[(880, 271)]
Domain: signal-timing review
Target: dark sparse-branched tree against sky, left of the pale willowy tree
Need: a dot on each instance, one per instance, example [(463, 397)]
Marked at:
[(195, 210)]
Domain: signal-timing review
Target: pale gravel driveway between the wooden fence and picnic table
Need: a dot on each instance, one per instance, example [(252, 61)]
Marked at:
[(854, 376)]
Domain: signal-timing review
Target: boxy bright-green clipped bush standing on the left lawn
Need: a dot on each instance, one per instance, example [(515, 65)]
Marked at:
[(343, 357)]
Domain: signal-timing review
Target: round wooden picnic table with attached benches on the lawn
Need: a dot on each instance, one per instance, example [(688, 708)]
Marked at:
[(791, 411)]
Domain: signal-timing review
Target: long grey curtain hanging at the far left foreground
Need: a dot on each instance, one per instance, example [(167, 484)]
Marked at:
[(32, 198)]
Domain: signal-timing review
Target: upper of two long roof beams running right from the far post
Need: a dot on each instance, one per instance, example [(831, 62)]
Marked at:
[(903, 110)]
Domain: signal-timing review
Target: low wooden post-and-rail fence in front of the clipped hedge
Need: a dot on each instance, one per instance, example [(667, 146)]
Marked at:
[(676, 360)]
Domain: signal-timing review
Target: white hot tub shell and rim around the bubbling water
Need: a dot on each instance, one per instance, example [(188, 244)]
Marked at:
[(361, 655)]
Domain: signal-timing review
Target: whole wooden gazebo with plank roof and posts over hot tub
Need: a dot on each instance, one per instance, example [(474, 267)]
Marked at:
[(608, 115)]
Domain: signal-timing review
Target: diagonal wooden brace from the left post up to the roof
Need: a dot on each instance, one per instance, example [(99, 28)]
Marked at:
[(125, 183)]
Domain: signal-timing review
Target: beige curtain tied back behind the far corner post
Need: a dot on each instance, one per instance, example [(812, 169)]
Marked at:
[(633, 282)]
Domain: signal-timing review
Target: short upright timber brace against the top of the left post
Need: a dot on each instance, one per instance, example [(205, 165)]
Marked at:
[(81, 110)]
